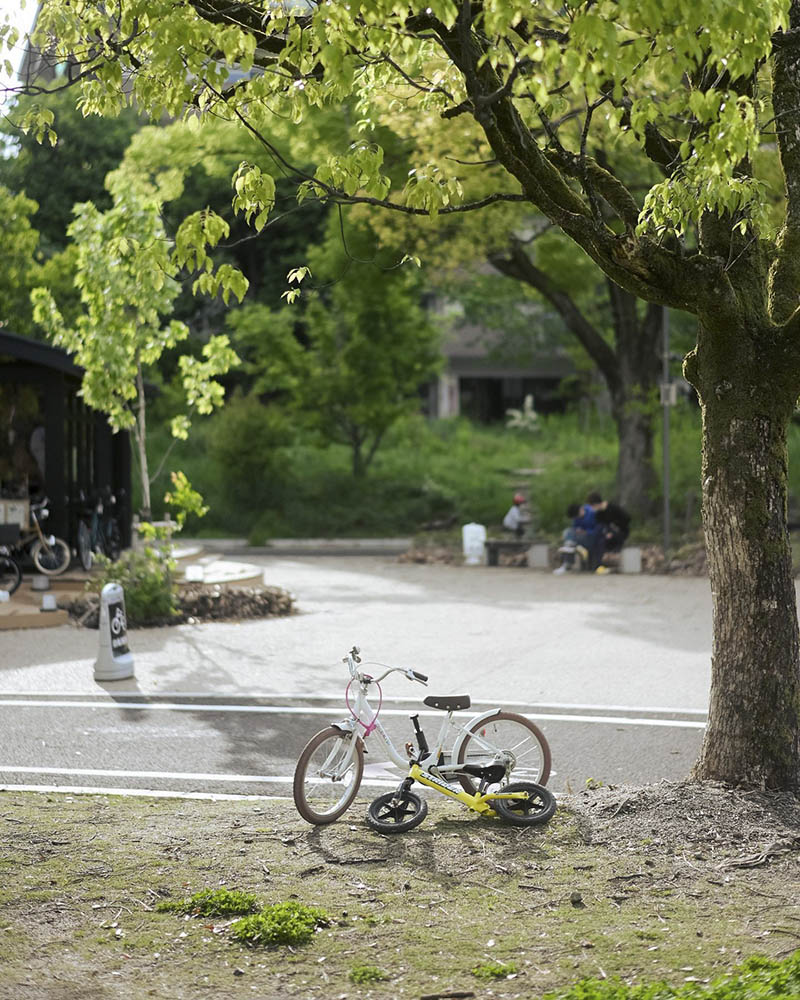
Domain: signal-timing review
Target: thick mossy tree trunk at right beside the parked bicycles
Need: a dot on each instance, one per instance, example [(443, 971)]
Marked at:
[(753, 732)]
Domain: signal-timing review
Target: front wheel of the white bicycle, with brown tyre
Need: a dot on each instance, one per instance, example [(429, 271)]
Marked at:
[(328, 775)]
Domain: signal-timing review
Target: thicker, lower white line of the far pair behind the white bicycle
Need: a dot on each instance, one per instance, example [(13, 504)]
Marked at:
[(615, 720)]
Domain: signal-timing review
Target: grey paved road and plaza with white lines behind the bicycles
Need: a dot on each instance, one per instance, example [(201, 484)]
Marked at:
[(615, 669)]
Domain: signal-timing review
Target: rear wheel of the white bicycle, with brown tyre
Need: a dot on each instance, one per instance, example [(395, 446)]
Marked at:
[(507, 732)]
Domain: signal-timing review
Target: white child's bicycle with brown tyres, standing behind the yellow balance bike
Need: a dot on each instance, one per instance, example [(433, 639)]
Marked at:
[(485, 751)]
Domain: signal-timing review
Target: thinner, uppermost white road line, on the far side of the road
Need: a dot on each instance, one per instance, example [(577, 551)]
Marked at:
[(336, 699)]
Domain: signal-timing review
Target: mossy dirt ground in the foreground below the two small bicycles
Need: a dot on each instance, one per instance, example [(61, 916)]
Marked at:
[(672, 881)]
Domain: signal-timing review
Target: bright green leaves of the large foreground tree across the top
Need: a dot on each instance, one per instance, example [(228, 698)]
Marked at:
[(627, 61)]
